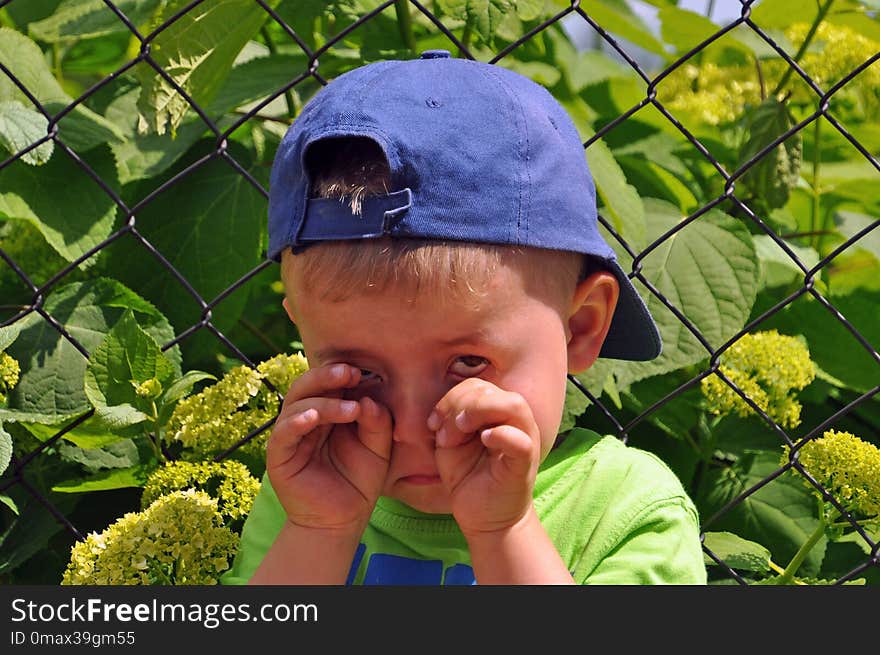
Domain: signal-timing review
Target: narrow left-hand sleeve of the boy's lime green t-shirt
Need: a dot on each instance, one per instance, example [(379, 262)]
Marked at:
[(262, 526)]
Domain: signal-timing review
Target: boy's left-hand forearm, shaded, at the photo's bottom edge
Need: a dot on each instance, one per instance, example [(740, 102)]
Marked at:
[(307, 556)]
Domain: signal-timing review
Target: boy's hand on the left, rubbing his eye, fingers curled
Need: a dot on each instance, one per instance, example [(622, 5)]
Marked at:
[(327, 457)]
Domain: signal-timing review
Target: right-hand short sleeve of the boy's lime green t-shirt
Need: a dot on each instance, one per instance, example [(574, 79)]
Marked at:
[(660, 546)]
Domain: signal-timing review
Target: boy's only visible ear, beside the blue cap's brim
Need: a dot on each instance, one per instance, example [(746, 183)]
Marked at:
[(589, 319)]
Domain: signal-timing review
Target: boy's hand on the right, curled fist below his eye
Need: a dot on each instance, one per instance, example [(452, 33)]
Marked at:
[(488, 450)]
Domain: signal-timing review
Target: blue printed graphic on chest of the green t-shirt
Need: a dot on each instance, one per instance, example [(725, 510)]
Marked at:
[(385, 569)]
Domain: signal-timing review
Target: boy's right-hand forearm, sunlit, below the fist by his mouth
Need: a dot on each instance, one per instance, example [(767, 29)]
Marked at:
[(520, 555)]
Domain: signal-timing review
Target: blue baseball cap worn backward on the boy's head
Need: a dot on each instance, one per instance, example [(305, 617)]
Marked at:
[(476, 153)]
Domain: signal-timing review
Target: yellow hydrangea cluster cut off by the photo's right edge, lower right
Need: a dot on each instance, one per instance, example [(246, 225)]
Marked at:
[(847, 467)]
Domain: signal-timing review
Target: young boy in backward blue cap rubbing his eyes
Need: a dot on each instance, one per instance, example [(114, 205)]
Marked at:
[(436, 226)]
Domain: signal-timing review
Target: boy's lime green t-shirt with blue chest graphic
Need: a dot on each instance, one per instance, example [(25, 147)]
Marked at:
[(616, 514)]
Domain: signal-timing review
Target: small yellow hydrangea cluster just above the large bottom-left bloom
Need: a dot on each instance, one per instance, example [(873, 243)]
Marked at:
[(230, 482)]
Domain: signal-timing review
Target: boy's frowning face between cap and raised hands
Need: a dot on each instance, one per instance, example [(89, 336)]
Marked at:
[(413, 352)]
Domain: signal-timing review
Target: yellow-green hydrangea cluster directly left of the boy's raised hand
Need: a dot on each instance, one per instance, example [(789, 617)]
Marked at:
[(221, 415)]
